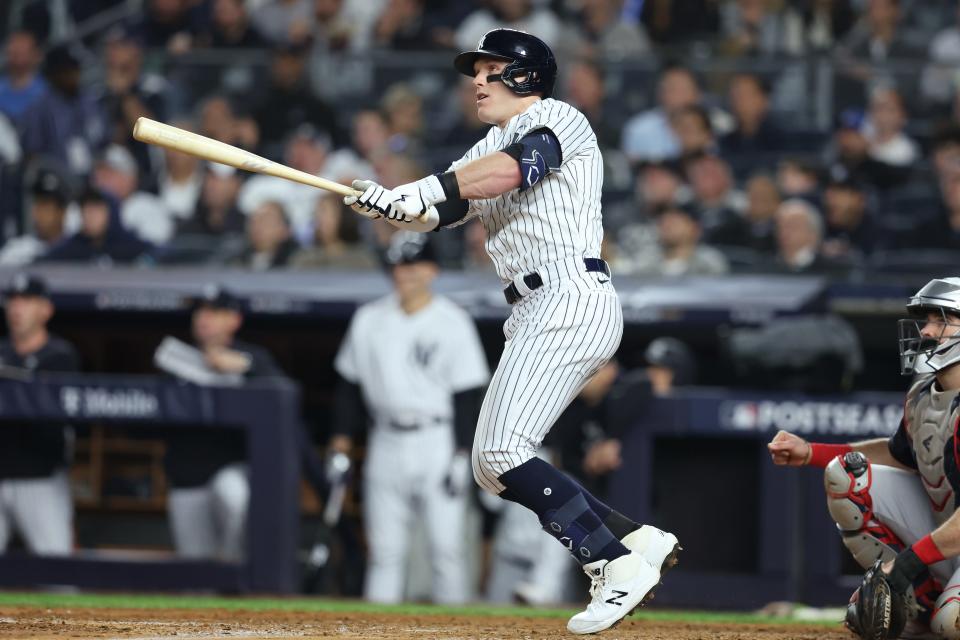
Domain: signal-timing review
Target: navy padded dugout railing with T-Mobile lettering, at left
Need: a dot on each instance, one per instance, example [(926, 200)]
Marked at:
[(268, 411)]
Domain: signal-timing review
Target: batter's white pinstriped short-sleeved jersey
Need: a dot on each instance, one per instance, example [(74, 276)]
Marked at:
[(558, 217)]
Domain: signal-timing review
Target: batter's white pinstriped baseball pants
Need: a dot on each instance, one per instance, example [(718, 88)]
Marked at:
[(558, 336)]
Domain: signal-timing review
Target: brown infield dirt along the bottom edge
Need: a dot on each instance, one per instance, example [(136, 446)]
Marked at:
[(40, 623)]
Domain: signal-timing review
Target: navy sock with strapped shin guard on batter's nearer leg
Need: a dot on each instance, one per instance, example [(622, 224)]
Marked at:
[(562, 509)]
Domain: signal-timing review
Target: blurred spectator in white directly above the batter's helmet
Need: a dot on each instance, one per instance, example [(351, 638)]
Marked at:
[(513, 14)]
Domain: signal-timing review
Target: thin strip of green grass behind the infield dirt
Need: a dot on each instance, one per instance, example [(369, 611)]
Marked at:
[(131, 601)]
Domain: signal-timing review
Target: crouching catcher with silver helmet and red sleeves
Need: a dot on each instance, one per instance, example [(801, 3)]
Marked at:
[(894, 500)]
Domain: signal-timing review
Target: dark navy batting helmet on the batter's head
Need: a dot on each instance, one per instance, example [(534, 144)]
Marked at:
[(528, 56)]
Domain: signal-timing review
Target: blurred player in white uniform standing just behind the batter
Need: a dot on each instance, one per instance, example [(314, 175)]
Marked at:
[(417, 462)]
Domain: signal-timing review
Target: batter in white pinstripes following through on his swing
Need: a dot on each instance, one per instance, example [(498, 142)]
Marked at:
[(535, 181)]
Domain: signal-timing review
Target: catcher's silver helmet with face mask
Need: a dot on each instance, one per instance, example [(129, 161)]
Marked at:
[(930, 354)]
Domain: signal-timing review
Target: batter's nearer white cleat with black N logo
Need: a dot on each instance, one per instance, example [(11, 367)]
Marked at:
[(617, 588)]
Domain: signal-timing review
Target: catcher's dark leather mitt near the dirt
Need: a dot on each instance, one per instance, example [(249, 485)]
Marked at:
[(881, 607)]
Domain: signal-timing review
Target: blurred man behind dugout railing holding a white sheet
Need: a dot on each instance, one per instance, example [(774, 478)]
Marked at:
[(209, 485)]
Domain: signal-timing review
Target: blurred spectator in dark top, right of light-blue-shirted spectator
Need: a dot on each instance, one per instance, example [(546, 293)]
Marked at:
[(755, 130)]
